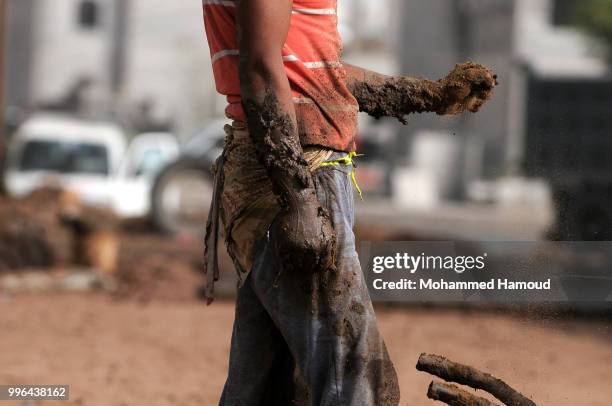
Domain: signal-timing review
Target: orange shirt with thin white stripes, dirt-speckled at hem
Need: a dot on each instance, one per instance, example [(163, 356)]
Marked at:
[(326, 110)]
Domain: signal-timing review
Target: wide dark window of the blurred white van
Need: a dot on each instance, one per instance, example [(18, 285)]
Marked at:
[(64, 157)]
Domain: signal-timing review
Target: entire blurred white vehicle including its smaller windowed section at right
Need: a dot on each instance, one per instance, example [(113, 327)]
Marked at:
[(88, 158)]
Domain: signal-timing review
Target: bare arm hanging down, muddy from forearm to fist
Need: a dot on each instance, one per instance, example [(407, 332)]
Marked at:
[(303, 236)]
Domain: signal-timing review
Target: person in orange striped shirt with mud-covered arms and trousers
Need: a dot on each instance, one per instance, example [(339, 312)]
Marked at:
[(305, 331)]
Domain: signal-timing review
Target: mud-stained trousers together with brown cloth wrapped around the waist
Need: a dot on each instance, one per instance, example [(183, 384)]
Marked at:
[(299, 338)]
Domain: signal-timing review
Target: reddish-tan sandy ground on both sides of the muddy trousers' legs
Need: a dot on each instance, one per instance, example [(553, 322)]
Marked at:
[(117, 352)]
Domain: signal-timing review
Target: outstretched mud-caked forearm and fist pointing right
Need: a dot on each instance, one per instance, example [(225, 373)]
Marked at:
[(466, 88)]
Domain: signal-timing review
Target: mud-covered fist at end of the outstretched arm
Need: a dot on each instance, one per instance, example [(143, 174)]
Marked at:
[(467, 87)]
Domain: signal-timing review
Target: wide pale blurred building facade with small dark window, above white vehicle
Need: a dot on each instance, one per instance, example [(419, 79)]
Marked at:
[(162, 58)]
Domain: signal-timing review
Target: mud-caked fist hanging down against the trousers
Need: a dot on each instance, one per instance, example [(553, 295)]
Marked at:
[(303, 237)]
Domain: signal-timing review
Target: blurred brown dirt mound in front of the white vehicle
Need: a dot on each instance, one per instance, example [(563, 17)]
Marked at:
[(50, 230)]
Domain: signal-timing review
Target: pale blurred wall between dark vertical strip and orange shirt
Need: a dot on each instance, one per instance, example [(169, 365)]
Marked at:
[(168, 62)]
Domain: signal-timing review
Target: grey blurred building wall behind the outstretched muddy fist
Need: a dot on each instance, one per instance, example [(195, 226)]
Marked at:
[(436, 35)]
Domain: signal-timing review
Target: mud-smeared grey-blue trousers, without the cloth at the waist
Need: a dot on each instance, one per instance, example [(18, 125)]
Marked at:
[(310, 339)]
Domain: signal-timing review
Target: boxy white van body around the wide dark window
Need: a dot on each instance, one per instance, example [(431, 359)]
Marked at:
[(50, 150)]
